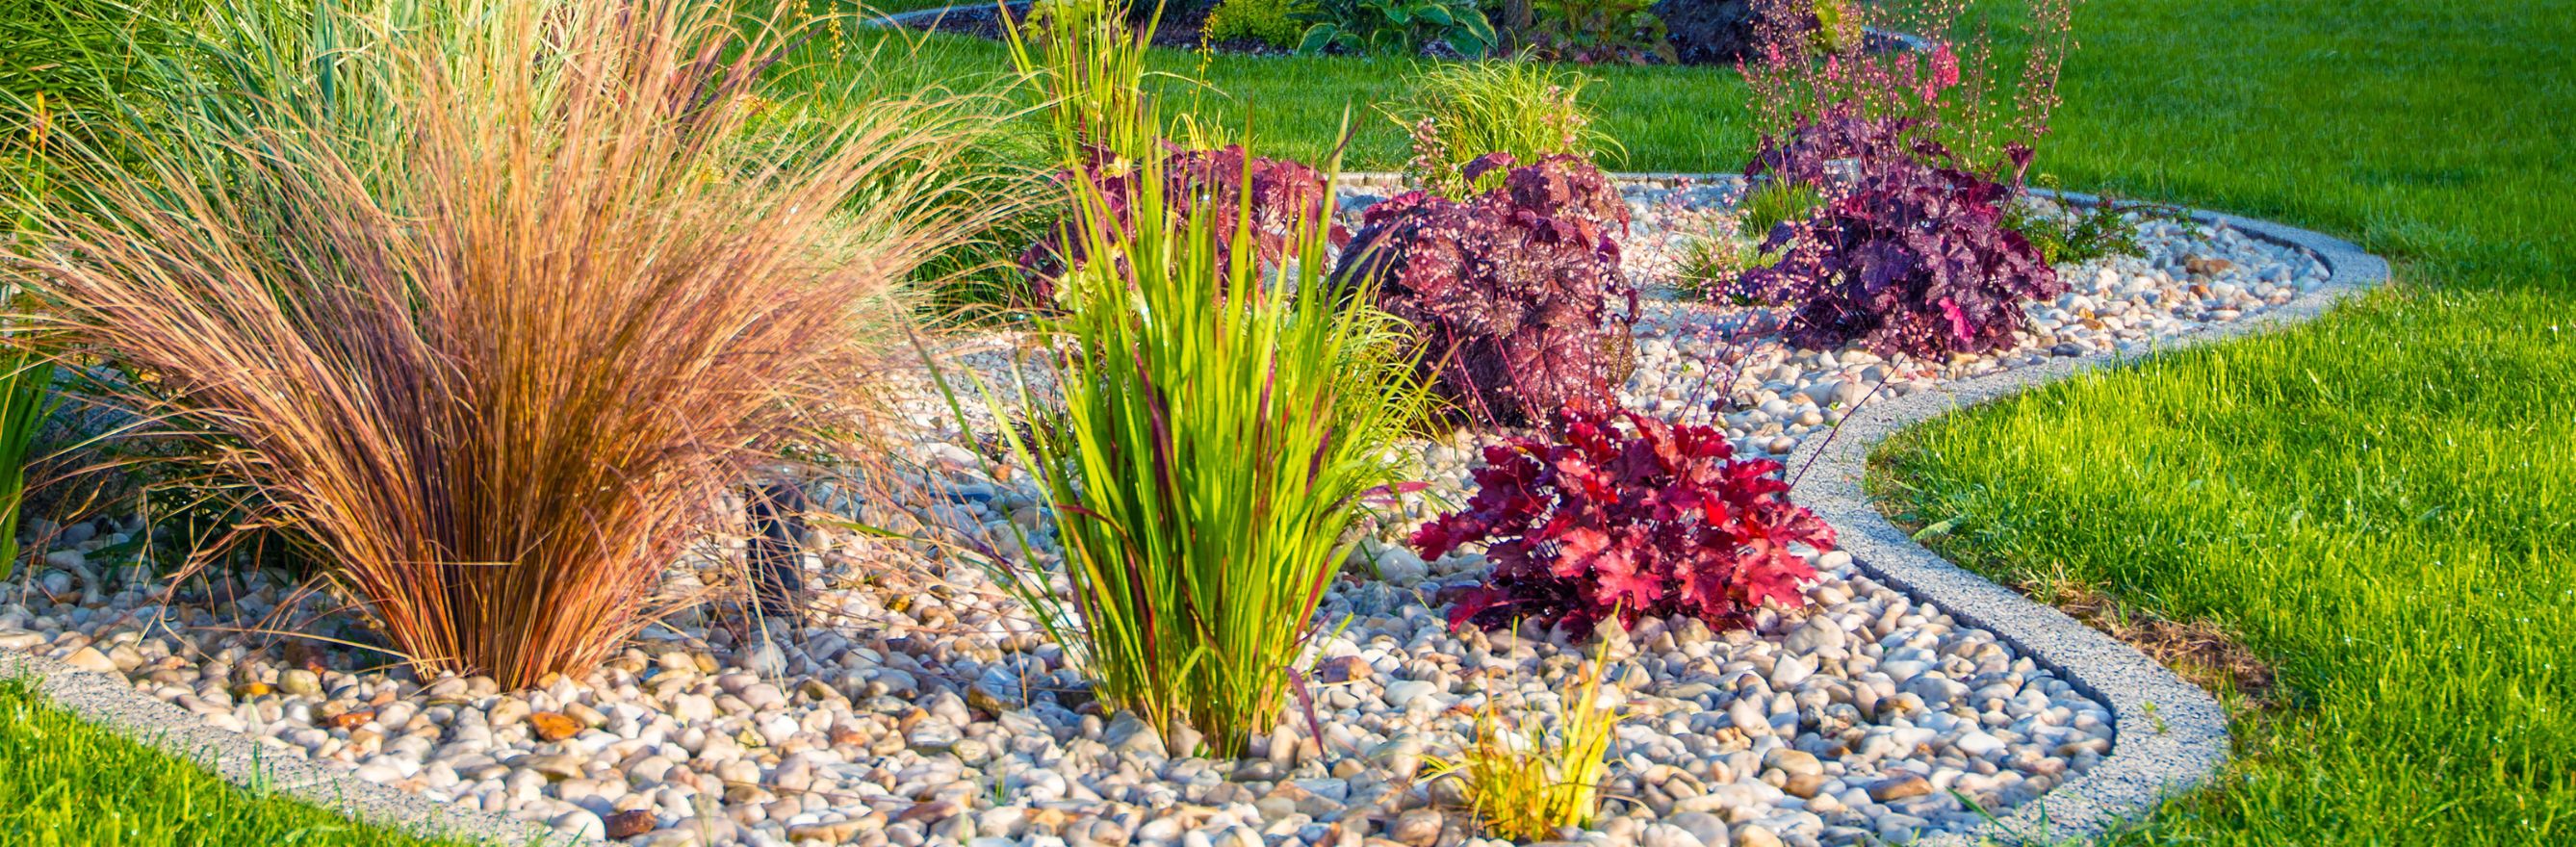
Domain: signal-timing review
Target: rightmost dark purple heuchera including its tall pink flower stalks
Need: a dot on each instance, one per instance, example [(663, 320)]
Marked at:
[(1920, 156)]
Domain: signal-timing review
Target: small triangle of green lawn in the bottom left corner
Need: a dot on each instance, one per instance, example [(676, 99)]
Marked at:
[(68, 784)]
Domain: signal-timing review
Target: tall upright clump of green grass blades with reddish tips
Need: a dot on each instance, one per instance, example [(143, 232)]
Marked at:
[(1212, 431)]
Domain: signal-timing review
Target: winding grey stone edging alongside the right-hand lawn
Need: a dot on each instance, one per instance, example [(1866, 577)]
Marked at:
[(2170, 732)]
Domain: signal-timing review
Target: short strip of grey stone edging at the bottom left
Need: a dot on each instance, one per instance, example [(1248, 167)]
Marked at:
[(115, 704)]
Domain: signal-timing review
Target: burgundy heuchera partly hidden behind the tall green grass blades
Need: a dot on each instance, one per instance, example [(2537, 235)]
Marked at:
[(1287, 194)]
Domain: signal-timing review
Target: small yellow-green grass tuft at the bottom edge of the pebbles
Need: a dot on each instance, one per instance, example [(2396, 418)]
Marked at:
[(1529, 784)]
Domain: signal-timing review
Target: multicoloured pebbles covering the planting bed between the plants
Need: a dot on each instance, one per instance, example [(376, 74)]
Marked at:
[(918, 704)]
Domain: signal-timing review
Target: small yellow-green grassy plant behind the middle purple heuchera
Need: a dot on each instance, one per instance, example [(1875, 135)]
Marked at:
[(1470, 109)]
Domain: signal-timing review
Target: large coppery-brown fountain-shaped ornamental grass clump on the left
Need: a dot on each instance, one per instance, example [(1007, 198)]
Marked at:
[(488, 308)]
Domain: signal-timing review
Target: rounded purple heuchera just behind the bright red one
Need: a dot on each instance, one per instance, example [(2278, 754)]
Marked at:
[(1513, 290)]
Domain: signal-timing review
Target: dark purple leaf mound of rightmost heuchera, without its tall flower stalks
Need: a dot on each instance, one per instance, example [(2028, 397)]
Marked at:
[(1910, 256)]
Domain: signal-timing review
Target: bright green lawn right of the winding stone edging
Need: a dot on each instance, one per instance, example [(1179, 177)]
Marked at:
[(2382, 503)]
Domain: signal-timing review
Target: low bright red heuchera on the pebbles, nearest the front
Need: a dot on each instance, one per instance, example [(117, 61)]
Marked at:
[(1647, 519)]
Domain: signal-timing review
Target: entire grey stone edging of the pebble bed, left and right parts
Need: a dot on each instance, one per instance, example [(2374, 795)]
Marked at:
[(2170, 732)]
